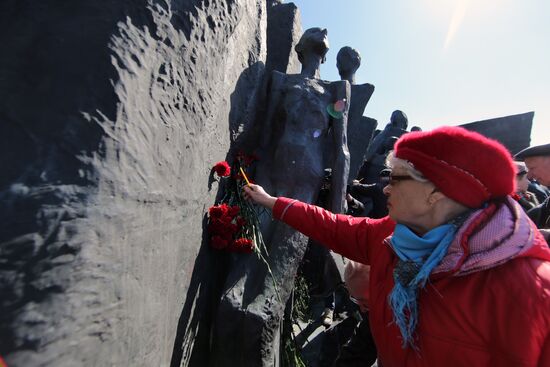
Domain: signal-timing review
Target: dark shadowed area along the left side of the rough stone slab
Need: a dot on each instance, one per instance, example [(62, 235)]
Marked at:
[(56, 73)]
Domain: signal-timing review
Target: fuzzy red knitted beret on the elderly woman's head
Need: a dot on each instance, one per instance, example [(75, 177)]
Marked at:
[(466, 166)]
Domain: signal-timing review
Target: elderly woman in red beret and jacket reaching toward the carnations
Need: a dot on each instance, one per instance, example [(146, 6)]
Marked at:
[(459, 274)]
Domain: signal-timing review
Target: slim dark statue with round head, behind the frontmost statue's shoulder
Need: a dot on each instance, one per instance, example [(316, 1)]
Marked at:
[(360, 128)]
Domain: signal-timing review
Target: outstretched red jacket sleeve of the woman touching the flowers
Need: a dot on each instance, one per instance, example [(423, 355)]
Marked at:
[(357, 239)]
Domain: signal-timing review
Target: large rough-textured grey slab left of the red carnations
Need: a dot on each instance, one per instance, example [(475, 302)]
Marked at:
[(111, 115)]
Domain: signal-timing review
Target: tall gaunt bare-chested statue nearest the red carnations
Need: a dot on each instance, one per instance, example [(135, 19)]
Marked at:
[(296, 139)]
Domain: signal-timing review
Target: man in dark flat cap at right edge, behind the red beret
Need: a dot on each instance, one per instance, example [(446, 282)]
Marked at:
[(537, 160)]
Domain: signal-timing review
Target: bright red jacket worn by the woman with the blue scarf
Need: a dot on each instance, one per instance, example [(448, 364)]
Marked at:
[(497, 316)]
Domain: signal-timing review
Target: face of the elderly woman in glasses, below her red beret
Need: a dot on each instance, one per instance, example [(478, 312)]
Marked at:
[(408, 202)]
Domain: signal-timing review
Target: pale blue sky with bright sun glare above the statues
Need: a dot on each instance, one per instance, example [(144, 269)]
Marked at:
[(444, 62)]
